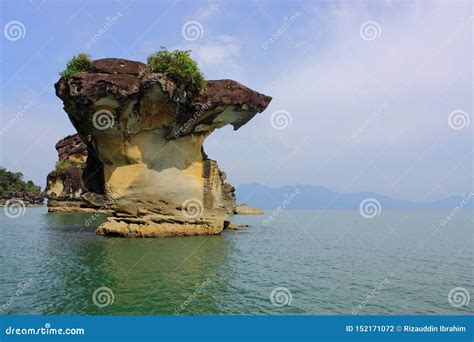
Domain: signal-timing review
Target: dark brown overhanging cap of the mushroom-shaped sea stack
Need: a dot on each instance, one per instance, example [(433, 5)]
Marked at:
[(123, 82)]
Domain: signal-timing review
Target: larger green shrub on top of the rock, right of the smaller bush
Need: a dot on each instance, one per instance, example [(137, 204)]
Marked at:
[(178, 66)]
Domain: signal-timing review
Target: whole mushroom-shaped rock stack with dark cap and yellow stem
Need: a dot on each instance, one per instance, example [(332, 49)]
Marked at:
[(144, 155)]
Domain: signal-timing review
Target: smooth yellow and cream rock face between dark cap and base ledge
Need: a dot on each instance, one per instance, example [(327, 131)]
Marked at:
[(148, 172)]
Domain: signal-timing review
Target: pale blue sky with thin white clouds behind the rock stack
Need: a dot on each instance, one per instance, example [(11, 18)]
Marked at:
[(367, 95)]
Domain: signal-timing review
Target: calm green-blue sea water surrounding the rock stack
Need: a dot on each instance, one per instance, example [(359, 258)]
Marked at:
[(401, 262)]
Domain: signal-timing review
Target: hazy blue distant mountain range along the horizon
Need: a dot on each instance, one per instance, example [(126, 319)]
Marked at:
[(318, 197)]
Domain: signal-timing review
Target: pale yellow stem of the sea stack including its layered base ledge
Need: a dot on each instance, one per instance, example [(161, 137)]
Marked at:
[(147, 174)]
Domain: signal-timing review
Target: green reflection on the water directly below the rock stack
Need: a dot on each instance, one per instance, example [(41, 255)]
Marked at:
[(159, 275)]
